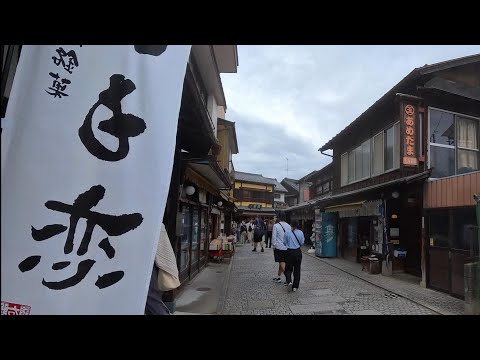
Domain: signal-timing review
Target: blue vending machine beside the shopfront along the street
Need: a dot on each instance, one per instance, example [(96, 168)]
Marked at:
[(326, 239)]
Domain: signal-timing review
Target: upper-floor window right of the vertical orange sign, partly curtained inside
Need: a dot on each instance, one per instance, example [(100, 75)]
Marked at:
[(453, 141)]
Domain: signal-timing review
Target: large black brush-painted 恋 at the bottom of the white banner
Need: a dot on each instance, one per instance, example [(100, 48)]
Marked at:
[(81, 209)]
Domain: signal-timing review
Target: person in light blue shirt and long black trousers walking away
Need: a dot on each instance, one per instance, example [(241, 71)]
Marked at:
[(293, 240)]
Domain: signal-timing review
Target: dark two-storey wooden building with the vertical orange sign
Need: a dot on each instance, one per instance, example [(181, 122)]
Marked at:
[(405, 185)]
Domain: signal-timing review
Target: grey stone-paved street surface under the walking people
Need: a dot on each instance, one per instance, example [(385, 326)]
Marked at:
[(324, 290)]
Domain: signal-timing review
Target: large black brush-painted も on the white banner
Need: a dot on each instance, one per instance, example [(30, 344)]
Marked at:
[(119, 125)]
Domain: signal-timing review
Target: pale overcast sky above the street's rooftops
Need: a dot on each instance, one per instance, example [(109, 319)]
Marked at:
[(288, 101)]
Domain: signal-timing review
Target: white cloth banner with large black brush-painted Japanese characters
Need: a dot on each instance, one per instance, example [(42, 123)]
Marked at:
[(86, 166)]
